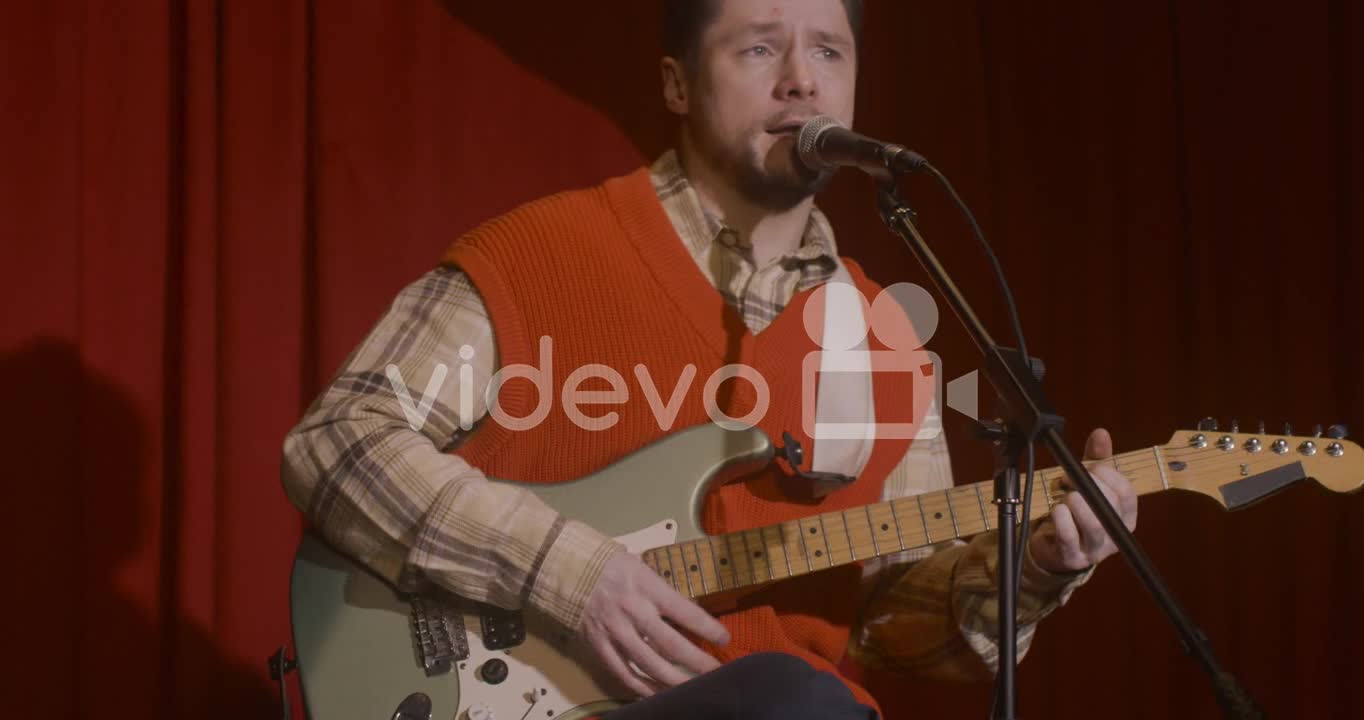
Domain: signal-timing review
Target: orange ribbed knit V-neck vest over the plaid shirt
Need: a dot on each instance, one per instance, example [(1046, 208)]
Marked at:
[(605, 276)]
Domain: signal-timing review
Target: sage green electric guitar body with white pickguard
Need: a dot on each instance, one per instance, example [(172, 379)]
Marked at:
[(355, 639)]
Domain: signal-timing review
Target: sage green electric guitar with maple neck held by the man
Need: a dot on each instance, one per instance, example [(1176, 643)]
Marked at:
[(369, 654)]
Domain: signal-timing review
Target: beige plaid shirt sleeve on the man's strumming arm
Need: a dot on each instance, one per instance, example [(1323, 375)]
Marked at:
[(377, 479)]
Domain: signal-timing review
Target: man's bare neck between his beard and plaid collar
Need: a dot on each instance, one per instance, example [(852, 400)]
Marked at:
[(773, 234)]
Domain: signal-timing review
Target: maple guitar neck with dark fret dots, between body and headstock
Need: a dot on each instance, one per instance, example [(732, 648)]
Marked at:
[(741, 560)]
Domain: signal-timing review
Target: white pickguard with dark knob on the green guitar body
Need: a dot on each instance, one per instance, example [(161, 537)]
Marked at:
[(542, 681)]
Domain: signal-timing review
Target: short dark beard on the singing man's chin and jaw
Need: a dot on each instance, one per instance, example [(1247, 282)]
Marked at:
[(775, 181)]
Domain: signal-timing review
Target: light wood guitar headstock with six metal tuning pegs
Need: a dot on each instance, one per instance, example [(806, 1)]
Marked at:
[(1238, 468)]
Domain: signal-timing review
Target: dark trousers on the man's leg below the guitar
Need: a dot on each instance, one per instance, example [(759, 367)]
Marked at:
[(765, 687)]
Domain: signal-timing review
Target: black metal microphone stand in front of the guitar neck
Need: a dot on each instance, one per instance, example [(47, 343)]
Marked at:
[(1028, 417)]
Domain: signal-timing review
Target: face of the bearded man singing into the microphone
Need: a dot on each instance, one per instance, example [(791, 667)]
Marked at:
[(763, 69)]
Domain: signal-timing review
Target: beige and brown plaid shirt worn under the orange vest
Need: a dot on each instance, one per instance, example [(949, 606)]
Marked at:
[(376, 489)]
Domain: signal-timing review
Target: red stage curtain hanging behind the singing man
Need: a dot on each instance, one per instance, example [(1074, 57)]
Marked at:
[(205, 207)]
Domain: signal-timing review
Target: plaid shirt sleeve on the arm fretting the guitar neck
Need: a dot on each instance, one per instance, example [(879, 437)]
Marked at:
[(935, 613)]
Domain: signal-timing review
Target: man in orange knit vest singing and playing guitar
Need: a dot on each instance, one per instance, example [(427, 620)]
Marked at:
[(696, 262)]
